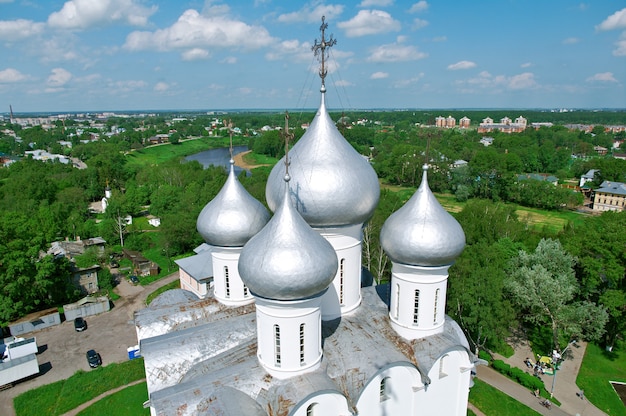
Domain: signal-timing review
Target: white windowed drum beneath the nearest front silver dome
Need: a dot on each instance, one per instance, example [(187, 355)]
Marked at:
[(297, 347)]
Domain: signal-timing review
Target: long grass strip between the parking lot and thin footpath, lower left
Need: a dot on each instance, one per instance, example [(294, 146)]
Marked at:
[(64, 395)]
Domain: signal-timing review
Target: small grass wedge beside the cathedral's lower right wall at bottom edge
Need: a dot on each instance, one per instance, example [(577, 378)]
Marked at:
[(492, 402)]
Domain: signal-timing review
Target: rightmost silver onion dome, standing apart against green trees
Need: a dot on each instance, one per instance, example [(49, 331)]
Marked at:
[(422, 232)]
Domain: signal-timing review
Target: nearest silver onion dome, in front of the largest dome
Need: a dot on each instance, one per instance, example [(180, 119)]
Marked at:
[(287, 260)]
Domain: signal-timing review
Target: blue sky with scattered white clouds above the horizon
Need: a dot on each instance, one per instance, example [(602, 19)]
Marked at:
[(98, 55)]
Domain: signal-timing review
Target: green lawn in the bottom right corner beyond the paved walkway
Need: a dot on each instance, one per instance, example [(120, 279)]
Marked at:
[(598, 368)]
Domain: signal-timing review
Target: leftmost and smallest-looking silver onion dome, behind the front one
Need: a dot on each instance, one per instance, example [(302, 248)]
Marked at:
[(233, 216)]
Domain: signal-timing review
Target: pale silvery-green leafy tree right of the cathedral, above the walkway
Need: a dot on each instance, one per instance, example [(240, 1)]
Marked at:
[(543, 285)]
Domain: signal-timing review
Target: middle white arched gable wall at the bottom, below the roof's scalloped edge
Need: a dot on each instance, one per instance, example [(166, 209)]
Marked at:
[(396, 396)]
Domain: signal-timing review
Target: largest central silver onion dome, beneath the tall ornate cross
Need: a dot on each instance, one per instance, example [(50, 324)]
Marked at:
[(331, 183)]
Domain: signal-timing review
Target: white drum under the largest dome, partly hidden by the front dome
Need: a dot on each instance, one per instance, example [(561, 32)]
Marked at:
[(344, 295)]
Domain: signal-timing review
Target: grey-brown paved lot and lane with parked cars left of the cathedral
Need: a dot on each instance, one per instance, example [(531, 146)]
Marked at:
[(63, 349)]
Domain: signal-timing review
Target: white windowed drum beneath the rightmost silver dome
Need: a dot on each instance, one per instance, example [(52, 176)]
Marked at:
[(432, 285)]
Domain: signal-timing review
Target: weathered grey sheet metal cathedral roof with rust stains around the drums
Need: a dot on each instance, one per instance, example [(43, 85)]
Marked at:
[(195, 364)]
